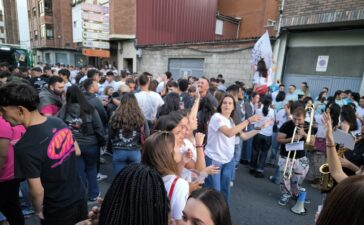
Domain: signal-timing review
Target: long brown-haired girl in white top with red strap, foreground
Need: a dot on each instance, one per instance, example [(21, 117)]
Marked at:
[(158, 153)]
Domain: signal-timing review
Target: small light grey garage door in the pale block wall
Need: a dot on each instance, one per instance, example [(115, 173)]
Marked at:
[(186, 67)]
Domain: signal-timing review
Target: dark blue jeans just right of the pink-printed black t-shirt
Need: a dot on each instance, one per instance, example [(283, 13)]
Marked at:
[(87, 164)]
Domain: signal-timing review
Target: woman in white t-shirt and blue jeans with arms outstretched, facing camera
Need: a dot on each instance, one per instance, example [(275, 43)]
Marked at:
[(221, 142)]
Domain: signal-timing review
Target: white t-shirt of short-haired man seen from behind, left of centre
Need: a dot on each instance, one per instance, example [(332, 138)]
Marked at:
[(149, 103)]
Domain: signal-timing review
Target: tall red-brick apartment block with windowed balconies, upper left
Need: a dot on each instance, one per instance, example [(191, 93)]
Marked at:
[(50, 24)]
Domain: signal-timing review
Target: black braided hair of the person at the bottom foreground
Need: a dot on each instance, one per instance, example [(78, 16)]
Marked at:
[(136, 196)]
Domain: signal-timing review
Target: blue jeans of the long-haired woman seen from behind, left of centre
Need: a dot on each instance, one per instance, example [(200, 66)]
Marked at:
[(122, 158)]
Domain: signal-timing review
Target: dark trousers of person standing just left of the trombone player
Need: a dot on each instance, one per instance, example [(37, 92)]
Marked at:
[(261, 145)]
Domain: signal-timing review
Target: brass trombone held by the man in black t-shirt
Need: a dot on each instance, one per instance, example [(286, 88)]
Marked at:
[(287, 173)]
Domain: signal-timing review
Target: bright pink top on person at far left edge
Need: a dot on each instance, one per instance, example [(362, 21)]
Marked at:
[(13, 134)]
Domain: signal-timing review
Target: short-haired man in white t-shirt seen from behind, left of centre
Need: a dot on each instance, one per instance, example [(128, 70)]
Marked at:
[(148, 101)]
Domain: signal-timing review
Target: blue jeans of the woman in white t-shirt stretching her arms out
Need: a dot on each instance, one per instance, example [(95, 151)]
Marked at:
[(220, 182)]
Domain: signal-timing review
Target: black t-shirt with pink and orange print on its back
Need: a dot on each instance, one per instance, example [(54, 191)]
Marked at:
[(46, 151)]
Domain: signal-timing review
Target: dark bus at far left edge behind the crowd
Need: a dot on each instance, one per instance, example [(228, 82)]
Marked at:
[(15, 55)]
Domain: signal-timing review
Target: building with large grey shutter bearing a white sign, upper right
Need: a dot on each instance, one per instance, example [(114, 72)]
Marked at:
[(322, 42)]
